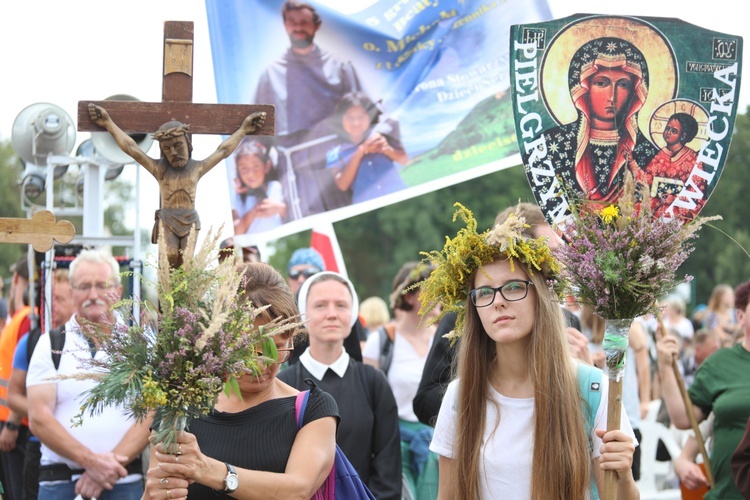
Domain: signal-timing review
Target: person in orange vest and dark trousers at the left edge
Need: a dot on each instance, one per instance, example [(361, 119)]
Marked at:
[(15, 430)]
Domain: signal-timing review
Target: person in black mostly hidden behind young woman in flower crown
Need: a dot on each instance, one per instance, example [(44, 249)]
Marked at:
[(437, 370)]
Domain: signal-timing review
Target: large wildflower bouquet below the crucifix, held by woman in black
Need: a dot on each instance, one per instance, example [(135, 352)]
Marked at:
[(199, 343)]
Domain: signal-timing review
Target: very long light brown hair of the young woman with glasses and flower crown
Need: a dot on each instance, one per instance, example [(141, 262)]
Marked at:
[(560, 441)]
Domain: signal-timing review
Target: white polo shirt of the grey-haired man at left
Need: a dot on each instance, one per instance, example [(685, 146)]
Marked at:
[(100, 433)]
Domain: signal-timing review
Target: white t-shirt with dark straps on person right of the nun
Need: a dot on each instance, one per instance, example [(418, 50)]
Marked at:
[(405, 371)]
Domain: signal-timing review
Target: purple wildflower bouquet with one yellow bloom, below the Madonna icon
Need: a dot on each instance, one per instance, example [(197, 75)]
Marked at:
[(620, 259)]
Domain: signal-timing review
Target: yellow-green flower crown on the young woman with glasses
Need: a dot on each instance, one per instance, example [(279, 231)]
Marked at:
[(449, 283)]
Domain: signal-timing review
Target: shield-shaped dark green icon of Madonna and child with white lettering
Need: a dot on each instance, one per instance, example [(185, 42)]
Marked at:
[(597, 96)]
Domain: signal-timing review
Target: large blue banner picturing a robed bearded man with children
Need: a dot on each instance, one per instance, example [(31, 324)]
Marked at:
[(382, 101)]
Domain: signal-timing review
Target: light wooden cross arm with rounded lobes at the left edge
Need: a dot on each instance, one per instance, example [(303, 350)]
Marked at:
[(40, 231)]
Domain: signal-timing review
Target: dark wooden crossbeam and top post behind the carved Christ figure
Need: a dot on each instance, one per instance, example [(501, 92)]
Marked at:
[(177, 94)]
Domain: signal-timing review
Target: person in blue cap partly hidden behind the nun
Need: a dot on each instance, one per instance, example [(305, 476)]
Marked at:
[(304, 263)]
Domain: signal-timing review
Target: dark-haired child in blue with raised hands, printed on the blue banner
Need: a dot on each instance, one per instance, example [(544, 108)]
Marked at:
[(364, 159)]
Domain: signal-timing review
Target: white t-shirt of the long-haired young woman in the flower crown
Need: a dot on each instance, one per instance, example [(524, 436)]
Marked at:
[(505, 462)]
